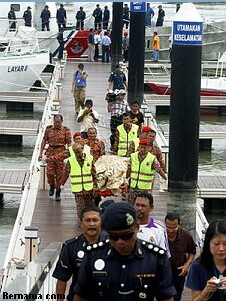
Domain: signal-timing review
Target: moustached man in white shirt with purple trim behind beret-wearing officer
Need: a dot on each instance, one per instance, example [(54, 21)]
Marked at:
[(151, 229)]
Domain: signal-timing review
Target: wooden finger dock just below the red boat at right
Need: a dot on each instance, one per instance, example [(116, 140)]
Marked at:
[(164, 100)]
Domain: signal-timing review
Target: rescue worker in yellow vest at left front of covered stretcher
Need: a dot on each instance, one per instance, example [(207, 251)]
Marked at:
[(82, 177)]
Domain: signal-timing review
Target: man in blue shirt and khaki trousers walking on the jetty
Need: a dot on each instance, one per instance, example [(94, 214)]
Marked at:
[(78, 88)]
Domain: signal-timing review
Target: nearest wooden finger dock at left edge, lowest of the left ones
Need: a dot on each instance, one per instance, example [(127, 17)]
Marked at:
[(12, 180)]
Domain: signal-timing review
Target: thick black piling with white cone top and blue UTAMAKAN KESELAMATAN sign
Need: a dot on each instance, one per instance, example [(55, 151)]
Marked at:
[(184, 114)]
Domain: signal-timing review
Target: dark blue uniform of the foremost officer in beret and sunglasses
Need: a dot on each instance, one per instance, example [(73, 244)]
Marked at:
[(140, 276)]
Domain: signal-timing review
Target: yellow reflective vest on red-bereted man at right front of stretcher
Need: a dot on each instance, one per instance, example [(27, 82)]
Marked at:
[(142, 174)]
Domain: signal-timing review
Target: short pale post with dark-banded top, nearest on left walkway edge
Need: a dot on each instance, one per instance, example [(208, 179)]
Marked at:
[(31, 243)]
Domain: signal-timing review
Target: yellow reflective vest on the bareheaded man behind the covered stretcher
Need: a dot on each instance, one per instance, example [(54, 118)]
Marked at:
[(125, 138)]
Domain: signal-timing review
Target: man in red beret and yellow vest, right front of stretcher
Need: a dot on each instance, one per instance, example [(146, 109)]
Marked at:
[(141, 170)]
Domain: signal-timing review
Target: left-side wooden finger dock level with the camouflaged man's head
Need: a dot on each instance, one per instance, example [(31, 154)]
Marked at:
[(19, 127)]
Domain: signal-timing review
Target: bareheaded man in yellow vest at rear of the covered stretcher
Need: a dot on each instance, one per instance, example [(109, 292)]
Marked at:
[(125, 133)]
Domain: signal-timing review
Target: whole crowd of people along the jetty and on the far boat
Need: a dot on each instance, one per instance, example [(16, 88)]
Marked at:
[(123, 252)]
